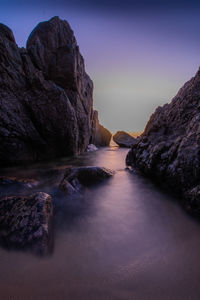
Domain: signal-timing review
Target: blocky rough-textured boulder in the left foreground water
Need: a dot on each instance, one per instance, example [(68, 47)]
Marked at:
[(26, 221)]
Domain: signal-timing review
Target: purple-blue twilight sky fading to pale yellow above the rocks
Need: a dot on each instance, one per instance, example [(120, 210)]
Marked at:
[(138, 53)]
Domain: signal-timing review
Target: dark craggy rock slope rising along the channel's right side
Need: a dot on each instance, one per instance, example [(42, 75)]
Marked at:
[(169, 149)]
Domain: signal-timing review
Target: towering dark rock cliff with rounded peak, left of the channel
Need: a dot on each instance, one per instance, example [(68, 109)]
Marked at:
[(46, 97)]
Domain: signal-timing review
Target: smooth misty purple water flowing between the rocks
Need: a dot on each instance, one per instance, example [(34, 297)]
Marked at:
[(125, 240)]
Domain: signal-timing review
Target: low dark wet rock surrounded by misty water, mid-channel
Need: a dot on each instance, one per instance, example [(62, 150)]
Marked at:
[(75, 179)]
